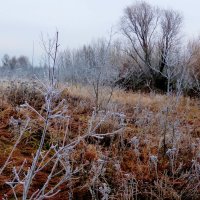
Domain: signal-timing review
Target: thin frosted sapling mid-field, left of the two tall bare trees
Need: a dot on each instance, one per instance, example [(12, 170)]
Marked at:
[(100, 69)]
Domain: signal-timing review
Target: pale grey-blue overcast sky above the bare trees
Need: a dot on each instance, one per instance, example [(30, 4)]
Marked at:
[(78, 21)]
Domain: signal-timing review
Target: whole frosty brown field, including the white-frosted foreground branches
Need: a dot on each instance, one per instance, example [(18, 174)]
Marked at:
[(55, 144)]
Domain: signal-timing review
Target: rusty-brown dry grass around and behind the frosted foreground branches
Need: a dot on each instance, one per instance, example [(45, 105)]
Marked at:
[(138, 164)]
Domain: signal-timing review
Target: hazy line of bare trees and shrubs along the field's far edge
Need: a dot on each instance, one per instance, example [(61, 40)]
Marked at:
[(150, 53)]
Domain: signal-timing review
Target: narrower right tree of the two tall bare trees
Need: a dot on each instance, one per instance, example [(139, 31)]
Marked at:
[(170, 25)]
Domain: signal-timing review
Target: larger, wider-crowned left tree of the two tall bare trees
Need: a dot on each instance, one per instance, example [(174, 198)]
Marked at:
[(139, 25)]
